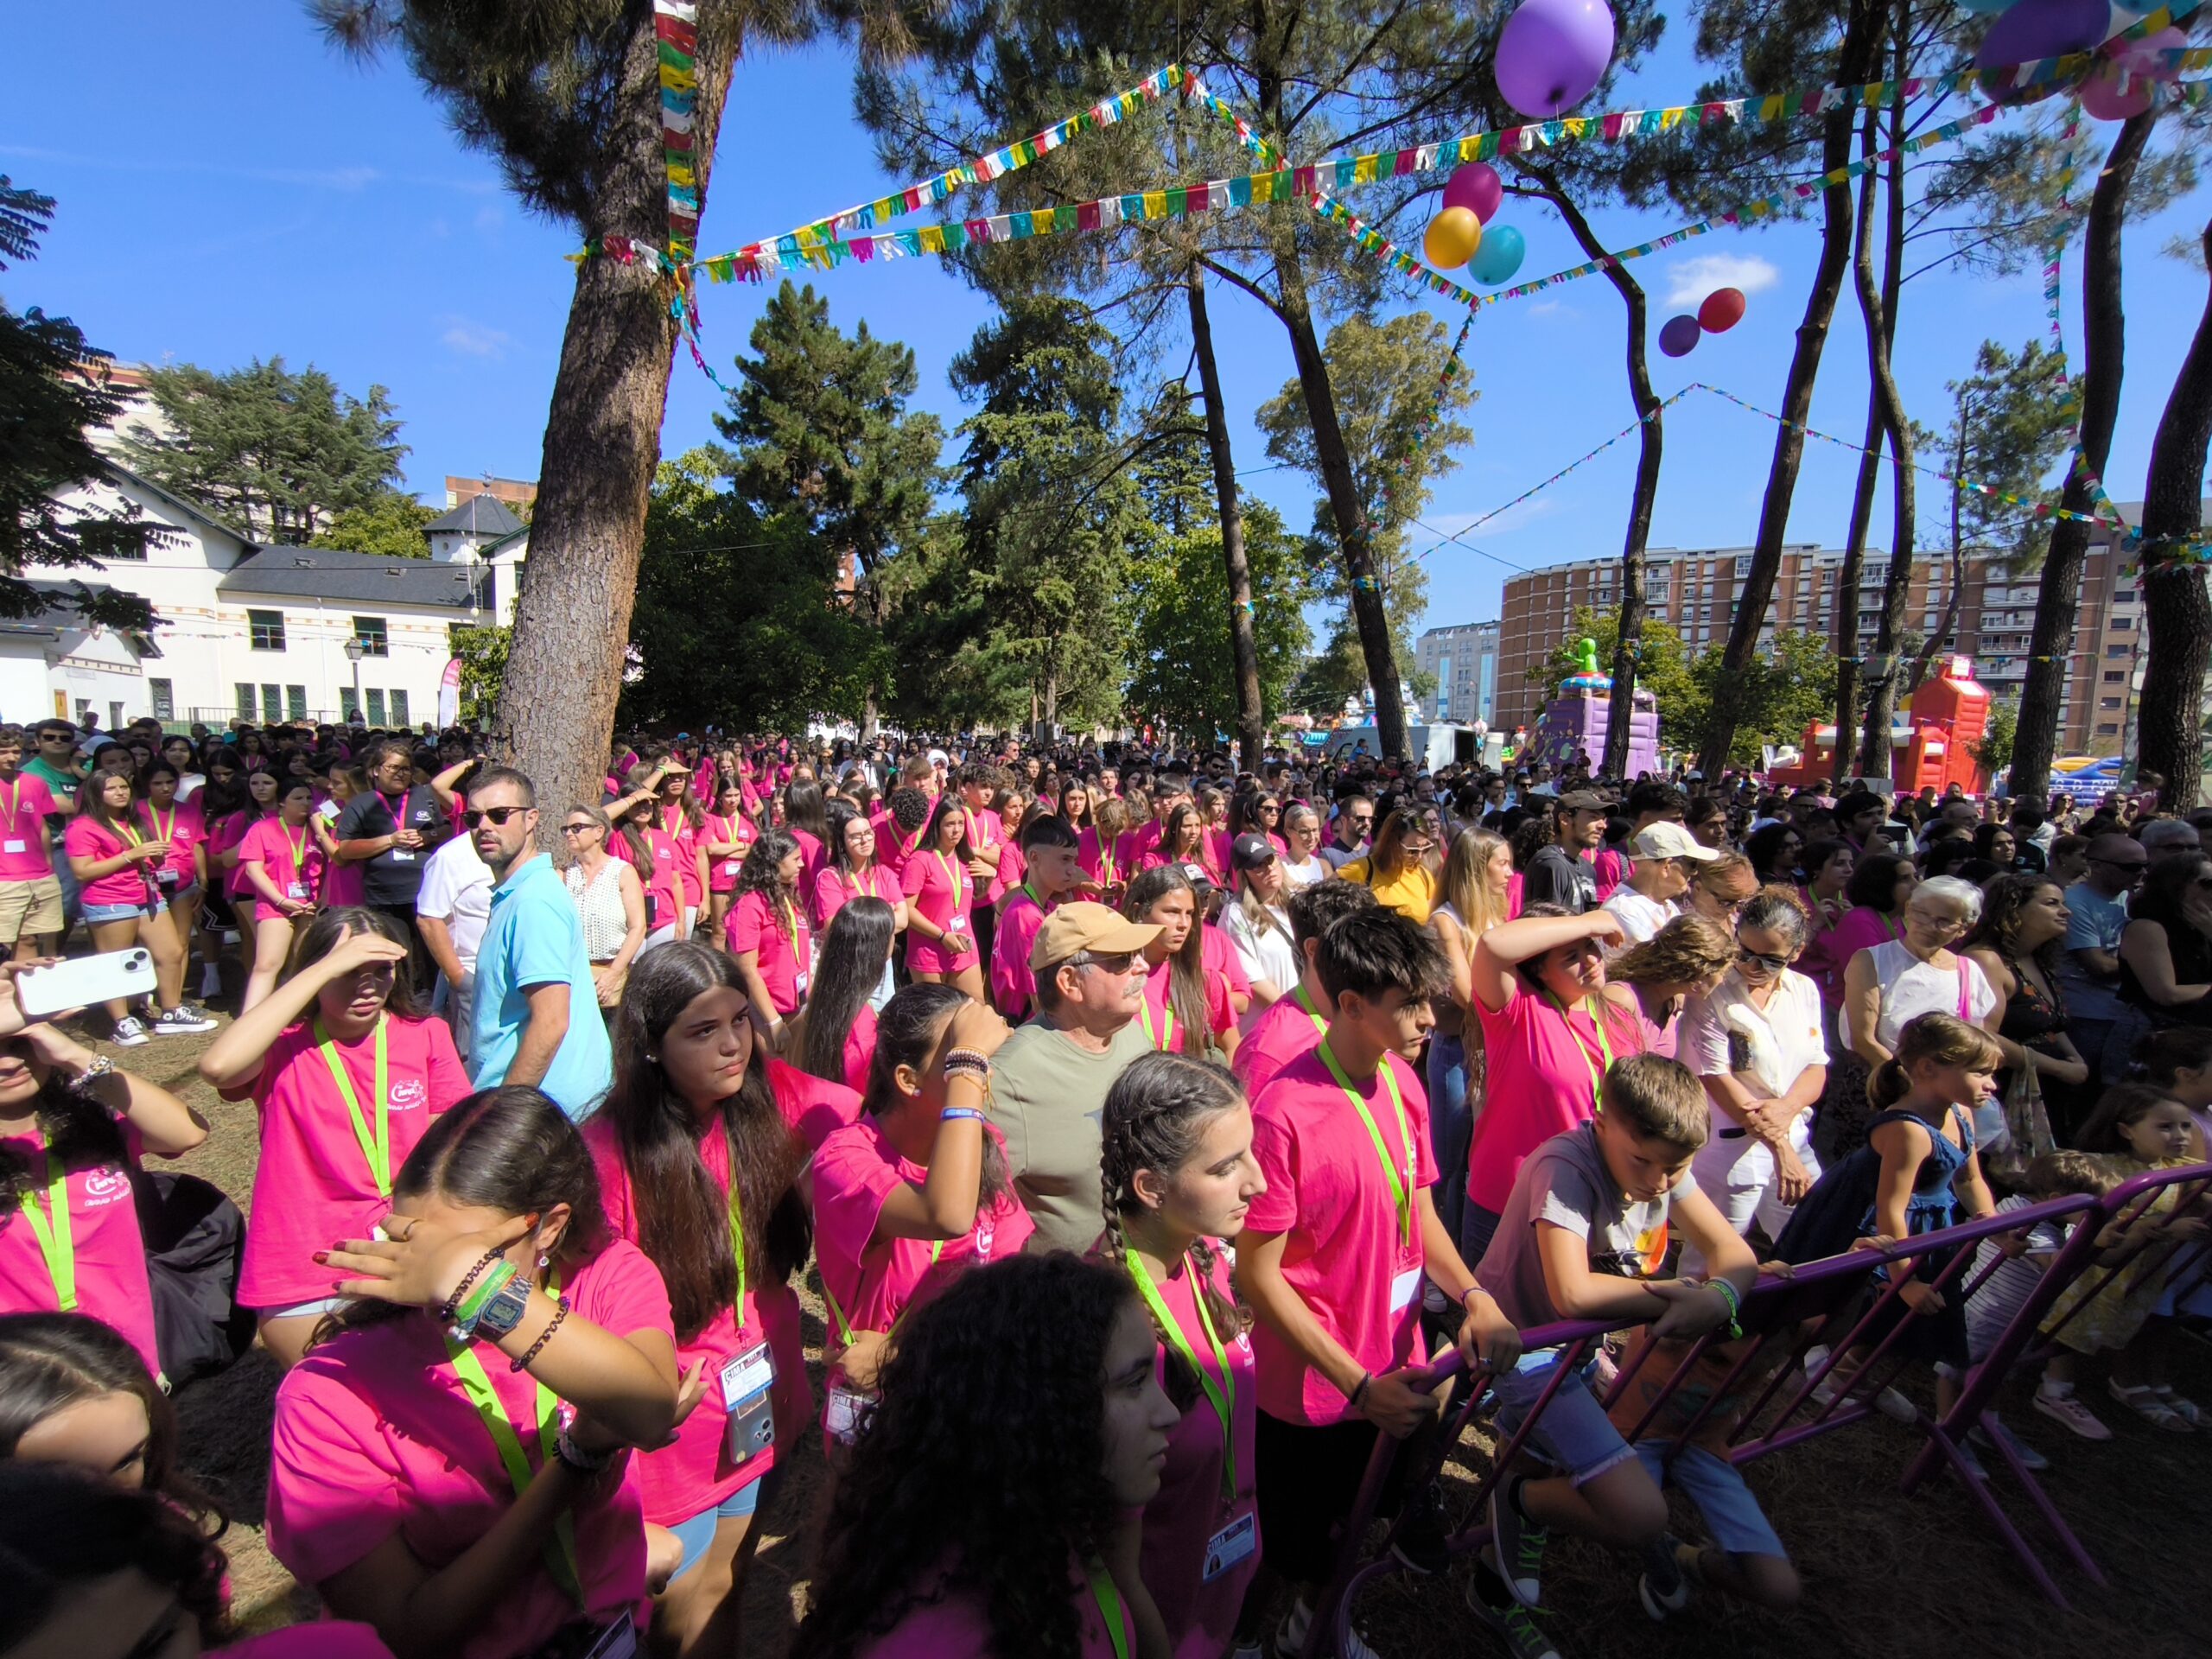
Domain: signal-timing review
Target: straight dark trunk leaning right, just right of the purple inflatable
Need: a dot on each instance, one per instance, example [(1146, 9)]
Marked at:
[(1855, 65)]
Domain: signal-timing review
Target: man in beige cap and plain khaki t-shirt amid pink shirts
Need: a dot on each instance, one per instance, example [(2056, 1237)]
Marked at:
[(1050, 1078)]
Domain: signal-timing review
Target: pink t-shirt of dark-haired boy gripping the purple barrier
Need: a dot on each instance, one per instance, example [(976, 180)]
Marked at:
[(1346, 1255)]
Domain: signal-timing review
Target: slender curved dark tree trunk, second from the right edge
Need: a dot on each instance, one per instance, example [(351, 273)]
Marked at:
[(2105, 333)]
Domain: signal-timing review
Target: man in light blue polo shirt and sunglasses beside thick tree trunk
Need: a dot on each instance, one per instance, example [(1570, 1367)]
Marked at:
[(536, 1010)]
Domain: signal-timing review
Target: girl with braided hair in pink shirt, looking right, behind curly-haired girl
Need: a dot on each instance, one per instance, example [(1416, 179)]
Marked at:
[(1178, 1176)]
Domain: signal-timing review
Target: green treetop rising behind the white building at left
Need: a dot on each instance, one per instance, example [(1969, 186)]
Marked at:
[(271, 452)]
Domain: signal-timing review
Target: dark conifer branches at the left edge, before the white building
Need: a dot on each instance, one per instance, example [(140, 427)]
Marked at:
[(52, 393)]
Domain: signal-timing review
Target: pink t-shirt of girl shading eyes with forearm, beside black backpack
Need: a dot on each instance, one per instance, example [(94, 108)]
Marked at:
[(313, 1185)]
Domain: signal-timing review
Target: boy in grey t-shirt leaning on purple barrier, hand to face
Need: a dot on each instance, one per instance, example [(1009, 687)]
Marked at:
[(1583, 1238)]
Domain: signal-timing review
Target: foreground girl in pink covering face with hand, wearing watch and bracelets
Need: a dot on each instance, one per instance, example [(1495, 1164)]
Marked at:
[(388, 1470)]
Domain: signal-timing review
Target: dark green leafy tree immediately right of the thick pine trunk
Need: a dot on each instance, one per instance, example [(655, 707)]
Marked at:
[(738, 616)]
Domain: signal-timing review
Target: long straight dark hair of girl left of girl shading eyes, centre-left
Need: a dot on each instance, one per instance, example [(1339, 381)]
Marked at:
[(682, 1209)]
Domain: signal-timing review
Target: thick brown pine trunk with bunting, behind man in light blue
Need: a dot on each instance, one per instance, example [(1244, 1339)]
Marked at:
[(603, 439)]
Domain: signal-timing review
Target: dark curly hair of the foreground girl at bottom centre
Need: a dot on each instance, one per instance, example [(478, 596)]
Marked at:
[(915, 1521)]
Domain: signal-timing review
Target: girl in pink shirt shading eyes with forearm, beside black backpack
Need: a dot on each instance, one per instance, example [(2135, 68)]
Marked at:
[(346, 1074)]
